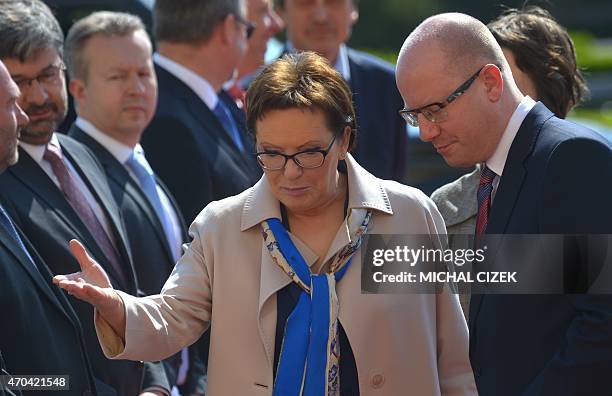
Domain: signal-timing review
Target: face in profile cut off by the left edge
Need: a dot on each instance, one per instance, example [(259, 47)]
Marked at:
[(12, 119)]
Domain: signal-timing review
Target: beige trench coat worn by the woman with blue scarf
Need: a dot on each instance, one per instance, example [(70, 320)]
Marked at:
[(404, 344)]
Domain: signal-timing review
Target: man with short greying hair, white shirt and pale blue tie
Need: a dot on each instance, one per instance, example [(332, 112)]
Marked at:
[(115, 91)]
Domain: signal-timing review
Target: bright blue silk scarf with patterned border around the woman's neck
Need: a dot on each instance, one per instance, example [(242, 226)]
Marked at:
[(310, 353)]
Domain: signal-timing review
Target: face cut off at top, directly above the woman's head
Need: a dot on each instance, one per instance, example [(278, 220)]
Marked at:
[(319, 25)]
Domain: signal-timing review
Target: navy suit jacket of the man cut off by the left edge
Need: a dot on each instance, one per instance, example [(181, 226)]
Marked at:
[(39, 331)]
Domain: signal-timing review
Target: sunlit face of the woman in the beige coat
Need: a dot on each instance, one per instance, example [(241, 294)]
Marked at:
[(292, 130)]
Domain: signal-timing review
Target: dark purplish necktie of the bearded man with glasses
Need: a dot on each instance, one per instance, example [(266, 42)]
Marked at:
[(77, 200)]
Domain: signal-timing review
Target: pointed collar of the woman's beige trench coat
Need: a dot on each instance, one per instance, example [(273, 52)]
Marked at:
[(365, 191)]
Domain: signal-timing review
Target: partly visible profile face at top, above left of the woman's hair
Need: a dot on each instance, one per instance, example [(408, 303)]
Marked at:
[(267, 23)]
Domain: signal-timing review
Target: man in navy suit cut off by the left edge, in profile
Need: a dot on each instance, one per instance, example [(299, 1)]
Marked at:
[(39, 331)]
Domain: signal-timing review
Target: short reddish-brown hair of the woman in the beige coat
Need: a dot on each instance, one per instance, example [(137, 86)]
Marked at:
[(302, 81)]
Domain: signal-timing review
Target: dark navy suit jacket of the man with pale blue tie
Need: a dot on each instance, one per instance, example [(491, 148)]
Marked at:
[(151, 252)]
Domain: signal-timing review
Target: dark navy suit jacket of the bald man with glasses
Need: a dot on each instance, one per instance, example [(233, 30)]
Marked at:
[(556, 181)]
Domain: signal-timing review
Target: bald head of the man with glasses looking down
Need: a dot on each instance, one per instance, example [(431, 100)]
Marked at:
[(457, 86)]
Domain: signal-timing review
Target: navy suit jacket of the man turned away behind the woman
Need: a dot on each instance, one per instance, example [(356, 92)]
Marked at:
[(189, 150)]
